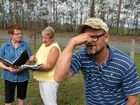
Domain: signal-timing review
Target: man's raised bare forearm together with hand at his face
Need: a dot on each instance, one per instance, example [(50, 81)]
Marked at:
[(63, 63)]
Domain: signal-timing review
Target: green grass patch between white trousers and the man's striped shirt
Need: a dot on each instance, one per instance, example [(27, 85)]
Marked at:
[(71, 91)]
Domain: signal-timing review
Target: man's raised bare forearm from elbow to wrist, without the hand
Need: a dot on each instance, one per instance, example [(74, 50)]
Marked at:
[(63, 63)]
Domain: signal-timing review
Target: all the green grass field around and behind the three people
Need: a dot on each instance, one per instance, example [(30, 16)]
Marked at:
[(70, 92)]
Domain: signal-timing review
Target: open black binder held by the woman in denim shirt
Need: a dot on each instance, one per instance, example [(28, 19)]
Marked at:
[(18, 61)]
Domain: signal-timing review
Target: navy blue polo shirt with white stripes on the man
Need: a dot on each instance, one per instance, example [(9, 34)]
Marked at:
[(109, 83)]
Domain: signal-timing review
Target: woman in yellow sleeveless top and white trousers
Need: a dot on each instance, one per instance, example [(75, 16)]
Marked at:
[(47, 55)]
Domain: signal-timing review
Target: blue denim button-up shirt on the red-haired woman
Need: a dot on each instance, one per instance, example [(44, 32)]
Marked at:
[(10, 53)]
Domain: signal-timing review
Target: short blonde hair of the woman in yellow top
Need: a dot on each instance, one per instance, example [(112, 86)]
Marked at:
[(49, 31)]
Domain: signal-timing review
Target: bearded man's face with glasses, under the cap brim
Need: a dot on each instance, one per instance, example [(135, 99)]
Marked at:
[(99, 40)]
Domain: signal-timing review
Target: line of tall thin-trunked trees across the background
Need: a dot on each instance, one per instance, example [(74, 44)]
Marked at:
[(122, 16)]
